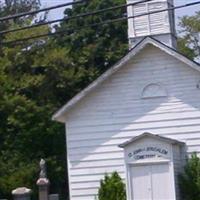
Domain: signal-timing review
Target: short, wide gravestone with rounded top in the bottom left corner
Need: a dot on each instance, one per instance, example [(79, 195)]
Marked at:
[(21, 194)]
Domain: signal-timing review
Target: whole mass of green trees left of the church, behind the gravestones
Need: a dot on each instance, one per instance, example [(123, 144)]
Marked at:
[(36, 78)]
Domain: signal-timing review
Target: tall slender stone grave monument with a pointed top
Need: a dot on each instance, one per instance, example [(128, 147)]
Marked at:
[(43, 183)]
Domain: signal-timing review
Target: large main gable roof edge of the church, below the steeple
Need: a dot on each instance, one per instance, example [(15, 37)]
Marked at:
[(59, 115)]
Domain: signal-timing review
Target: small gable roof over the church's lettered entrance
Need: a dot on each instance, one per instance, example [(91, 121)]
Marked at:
[(156, 137)]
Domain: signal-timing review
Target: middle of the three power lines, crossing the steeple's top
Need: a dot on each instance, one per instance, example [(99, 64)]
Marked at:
[(73, 17)]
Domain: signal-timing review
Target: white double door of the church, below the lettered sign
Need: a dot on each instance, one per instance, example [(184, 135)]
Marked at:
[(151, 182)]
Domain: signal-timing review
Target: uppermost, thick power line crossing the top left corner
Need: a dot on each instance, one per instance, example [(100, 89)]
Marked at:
[(40, 10)]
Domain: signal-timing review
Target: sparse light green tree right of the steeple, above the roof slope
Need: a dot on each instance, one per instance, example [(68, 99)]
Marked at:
[(189, 41)]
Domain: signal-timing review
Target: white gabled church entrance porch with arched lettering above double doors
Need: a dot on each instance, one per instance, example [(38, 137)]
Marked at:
[(152, 166)]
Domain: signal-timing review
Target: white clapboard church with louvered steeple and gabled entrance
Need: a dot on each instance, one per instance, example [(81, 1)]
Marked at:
[(140, 118)]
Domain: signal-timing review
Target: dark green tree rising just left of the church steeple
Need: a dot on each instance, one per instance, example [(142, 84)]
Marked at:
[(96, 47)]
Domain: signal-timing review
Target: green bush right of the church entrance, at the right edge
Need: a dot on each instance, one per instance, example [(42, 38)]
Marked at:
[(189, 181)]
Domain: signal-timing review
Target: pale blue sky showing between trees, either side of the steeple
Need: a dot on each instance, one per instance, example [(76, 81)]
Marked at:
[(57, 14)]
